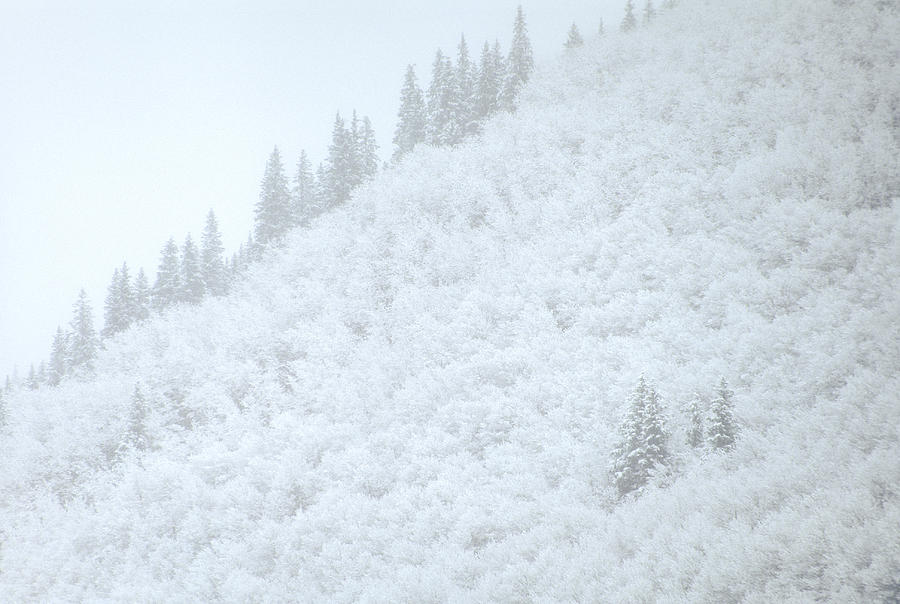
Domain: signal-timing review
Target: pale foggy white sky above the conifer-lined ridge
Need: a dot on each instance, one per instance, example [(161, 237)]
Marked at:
[(122, 123)]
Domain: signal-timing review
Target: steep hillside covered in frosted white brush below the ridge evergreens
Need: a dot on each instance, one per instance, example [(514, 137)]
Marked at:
[(415, 399)]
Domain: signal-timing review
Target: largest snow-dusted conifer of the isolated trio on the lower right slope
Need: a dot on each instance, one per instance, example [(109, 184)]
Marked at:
[(643, 445)]
